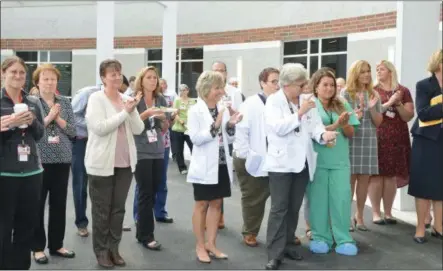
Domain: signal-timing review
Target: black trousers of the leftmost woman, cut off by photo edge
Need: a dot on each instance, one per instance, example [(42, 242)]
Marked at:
[(19, 202)]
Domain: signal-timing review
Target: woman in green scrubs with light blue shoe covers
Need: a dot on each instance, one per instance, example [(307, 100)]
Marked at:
[(330, 192)]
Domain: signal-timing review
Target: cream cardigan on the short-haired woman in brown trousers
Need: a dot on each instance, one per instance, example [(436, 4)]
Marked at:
[(102, 121)]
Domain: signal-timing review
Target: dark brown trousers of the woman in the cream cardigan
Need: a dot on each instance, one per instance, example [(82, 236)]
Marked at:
[(108, 197)]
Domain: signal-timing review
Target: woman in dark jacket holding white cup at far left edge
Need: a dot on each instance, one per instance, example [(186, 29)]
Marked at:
[(20, 166)]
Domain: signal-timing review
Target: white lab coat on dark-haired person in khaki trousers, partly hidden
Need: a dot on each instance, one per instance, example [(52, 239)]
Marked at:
[(250, 136)]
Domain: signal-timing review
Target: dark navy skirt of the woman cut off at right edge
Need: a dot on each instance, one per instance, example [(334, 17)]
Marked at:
[(426, 180)]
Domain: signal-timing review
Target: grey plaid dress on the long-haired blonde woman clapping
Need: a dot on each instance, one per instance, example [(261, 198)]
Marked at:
[(363, 145)]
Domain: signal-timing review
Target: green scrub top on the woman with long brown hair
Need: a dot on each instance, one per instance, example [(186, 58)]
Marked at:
[(336, 157)]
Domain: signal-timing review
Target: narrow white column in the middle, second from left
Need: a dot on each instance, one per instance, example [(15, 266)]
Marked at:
[(169, 42)]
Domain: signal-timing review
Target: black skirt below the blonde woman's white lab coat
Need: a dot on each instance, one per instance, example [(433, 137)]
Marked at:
[(208, 192)]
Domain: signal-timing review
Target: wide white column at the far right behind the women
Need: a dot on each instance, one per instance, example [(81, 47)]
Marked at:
[(417, 38)]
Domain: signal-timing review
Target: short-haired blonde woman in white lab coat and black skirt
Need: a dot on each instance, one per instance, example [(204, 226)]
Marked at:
[(211, 130)]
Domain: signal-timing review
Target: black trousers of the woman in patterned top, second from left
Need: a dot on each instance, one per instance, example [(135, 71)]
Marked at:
[(55, 183)]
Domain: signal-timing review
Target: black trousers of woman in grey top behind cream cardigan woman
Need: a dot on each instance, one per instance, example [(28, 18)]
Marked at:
[(148, 175)]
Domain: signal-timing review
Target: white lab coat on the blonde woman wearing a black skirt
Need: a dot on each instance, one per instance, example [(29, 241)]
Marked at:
[(203, 168)]
